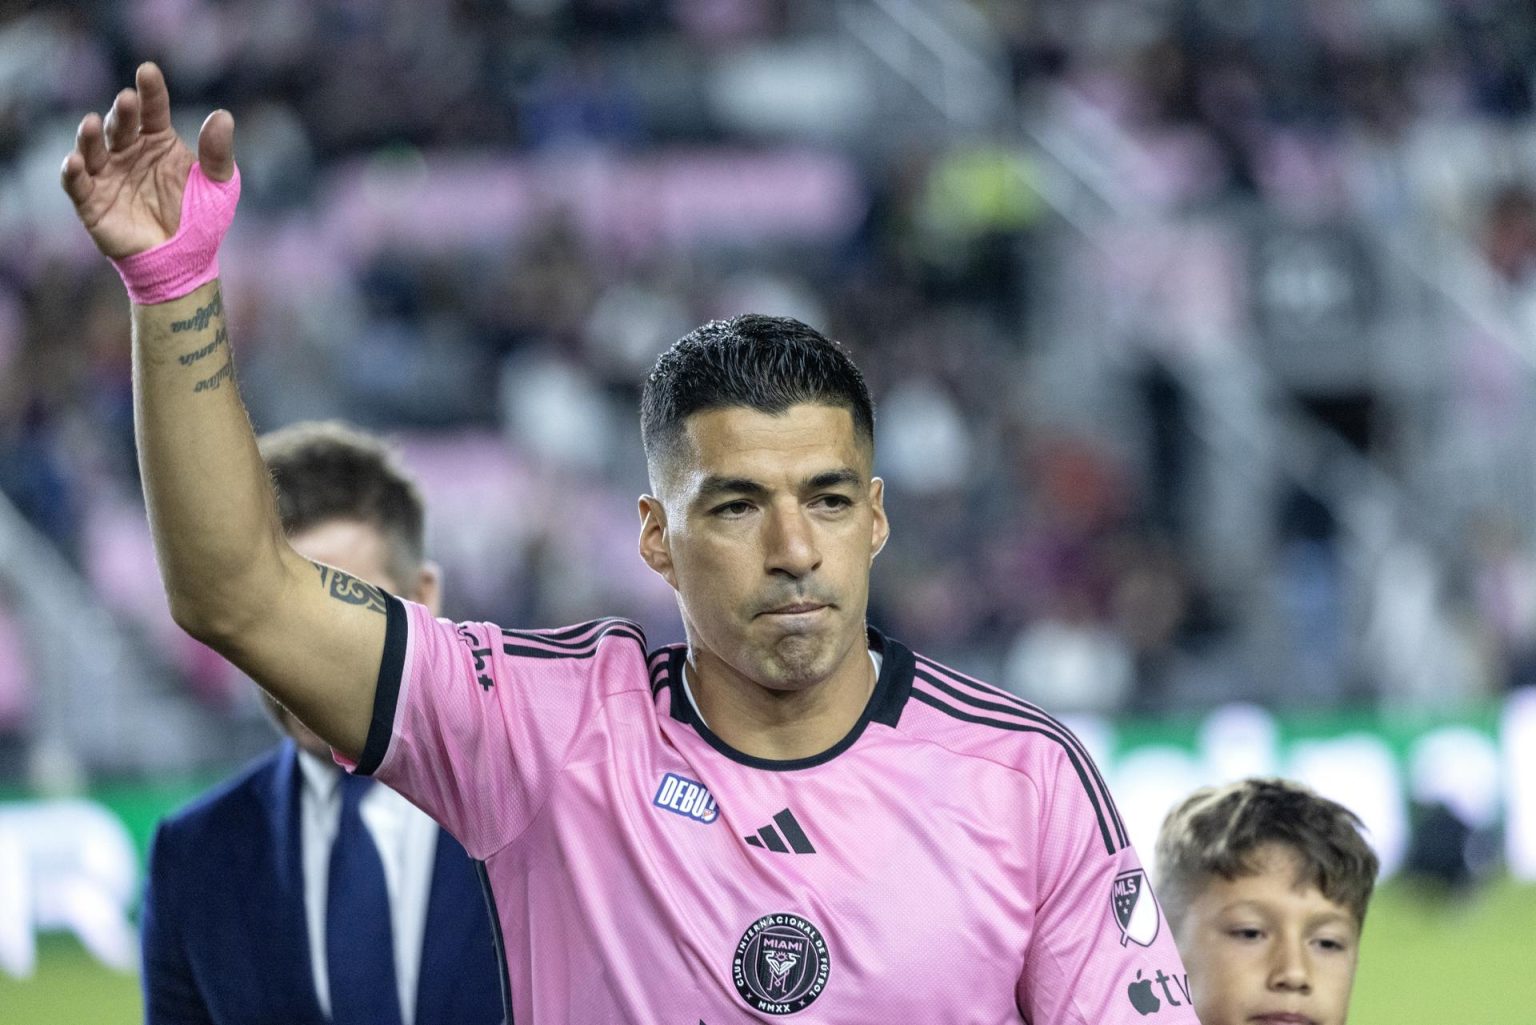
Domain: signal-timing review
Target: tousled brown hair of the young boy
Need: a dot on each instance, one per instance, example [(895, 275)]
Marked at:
[(1219, 831)]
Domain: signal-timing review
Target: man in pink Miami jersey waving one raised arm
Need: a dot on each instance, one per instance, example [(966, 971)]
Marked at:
[(790, 817)]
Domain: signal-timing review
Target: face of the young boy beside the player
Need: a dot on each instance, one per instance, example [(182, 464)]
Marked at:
[(1270, 950)]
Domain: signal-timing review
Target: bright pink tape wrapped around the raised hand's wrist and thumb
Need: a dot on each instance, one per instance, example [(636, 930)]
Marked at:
[(190, 259)]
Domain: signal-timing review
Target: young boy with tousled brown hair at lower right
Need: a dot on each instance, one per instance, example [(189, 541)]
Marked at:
[(1265, 886)]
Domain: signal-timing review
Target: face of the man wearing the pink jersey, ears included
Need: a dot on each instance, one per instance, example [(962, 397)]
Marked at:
[(767, 528)]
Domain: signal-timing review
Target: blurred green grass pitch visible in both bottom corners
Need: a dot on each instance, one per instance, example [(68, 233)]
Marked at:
[(1423, 964)]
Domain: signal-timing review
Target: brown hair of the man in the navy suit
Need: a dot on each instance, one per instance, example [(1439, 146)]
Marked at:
[(328, 471)]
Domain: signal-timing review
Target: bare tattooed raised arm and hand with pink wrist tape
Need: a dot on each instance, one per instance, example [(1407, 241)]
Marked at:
[(311, 635)]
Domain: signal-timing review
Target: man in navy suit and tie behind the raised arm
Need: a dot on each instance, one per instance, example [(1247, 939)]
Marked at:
[(294, 894)]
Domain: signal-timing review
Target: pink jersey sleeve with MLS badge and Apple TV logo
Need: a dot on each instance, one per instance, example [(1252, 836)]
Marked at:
[(1102, 954)]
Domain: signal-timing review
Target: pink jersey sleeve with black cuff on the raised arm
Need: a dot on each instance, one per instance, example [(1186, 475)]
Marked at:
[(474, 723)]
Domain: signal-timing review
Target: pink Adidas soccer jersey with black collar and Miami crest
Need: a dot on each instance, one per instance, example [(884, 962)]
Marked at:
[(956, 858)]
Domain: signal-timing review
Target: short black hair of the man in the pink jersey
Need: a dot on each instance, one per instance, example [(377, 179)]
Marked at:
[(764, 363)]
